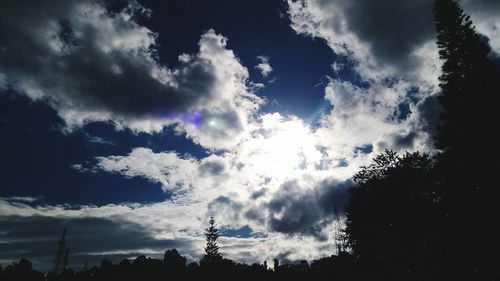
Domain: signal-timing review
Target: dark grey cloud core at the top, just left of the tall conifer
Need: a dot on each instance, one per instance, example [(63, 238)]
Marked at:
[(392, 28)]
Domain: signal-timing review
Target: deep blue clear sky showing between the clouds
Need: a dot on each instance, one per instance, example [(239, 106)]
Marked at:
[(300, 66)]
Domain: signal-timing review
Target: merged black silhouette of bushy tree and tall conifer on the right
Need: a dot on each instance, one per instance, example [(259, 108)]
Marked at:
[(414, 217)]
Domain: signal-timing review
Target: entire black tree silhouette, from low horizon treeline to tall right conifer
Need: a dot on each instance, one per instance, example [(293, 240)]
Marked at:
[(413, 216)]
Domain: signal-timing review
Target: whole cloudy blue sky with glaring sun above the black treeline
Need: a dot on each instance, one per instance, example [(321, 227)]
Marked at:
[(130, 123)]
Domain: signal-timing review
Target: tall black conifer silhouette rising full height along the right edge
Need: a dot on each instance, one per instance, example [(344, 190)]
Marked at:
[(470, 84)]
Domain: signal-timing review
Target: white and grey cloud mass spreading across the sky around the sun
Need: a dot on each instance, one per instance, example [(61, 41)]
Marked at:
[(274, 173)]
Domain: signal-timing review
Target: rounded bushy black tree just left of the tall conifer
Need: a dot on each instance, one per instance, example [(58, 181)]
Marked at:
[(391, 218)]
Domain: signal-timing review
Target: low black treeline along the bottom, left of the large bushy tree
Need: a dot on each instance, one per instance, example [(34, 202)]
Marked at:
[(144, 268)]
